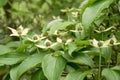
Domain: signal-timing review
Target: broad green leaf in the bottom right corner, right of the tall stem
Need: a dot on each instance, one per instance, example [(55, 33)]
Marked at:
[(110, 74)]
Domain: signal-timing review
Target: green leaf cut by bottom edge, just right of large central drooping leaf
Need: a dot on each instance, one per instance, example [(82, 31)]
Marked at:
[(78, 75)]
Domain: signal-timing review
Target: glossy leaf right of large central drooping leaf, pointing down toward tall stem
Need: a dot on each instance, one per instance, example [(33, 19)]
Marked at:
[(80, 58)]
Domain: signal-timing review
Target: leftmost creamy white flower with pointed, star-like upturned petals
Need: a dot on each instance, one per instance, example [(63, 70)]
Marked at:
[(20, 31)]
